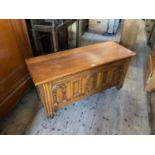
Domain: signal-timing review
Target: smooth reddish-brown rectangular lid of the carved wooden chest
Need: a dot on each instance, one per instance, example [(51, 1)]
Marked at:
[(57, 65)]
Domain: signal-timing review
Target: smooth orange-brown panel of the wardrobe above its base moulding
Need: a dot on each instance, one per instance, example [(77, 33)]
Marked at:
[(13, 68)]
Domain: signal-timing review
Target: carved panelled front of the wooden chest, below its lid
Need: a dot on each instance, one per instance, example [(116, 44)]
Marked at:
[(75, 87)]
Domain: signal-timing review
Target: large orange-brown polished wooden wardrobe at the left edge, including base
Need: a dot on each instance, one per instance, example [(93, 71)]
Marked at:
[(14, 77)]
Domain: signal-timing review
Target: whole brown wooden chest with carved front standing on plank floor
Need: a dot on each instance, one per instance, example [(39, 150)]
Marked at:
[(65, 77)]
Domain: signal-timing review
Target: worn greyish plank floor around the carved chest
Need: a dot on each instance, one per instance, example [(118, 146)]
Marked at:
[(113, 111)]
